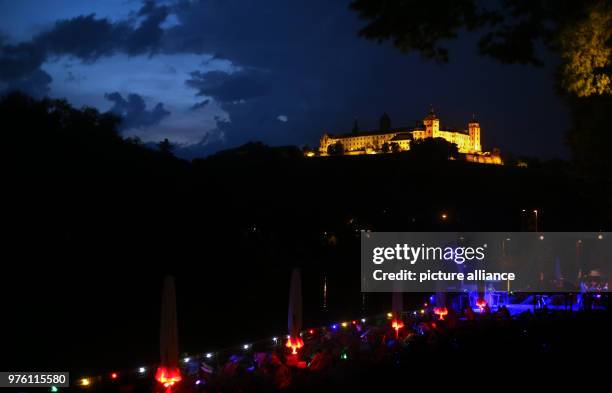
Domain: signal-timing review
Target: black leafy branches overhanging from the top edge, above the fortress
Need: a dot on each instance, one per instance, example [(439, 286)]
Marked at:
[(511, 32)]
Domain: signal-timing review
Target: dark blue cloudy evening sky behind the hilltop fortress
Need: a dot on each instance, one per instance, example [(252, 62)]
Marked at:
[(214, 74)]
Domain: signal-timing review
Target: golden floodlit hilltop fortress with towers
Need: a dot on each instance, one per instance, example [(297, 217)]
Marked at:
[(397, 140)]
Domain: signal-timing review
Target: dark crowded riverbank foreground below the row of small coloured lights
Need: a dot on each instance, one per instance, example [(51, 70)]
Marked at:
[(547, 350)]
